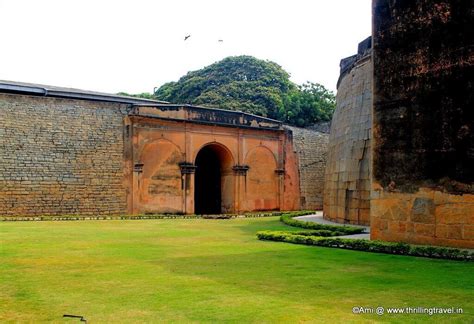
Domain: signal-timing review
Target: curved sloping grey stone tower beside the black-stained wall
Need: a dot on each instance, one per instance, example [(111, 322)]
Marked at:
[(347, 175)]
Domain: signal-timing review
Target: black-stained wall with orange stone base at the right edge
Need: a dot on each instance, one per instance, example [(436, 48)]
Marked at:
[(423, 129)]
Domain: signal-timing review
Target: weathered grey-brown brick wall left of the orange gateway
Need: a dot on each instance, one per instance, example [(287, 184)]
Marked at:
[(60, 156)]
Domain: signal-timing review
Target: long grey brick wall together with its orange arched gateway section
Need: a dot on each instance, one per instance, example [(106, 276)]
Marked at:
[(67, 152)]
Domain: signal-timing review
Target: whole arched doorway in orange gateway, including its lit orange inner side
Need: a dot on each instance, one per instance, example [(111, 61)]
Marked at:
[(213, 186)]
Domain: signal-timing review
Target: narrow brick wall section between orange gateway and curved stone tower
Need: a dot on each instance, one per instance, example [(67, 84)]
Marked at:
[(311, 148)]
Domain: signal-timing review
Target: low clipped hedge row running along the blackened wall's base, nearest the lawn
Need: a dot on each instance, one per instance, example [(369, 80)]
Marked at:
[(365, 245)]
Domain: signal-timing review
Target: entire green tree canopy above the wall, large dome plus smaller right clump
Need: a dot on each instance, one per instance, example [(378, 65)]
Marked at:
[(251, 85)]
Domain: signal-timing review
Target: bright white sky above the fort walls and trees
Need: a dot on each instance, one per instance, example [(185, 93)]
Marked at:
[(136, 45)]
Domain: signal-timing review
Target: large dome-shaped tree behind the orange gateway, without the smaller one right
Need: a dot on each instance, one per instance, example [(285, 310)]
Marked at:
[(236, 83)]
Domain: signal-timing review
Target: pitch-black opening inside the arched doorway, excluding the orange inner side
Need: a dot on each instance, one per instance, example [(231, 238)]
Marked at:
[(207, 188)]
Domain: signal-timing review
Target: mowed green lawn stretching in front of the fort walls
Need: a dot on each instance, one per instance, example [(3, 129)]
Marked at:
[(210, 271)]
